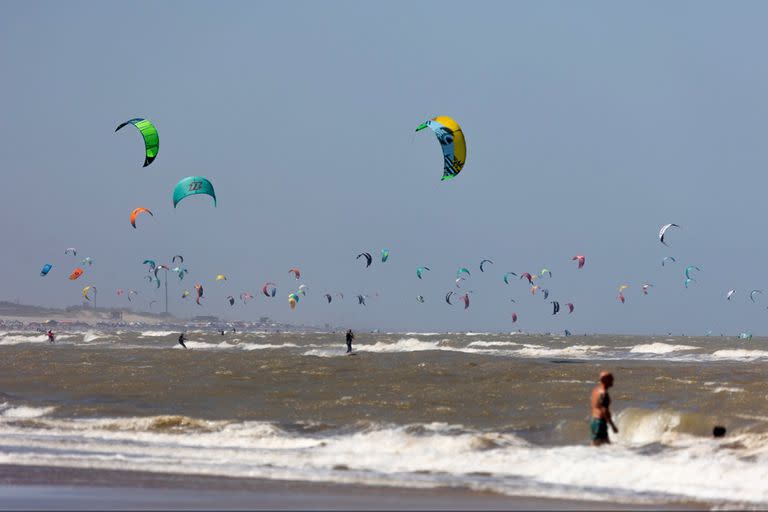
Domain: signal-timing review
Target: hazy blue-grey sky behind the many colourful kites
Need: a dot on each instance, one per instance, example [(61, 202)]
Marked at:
[(589, 125)]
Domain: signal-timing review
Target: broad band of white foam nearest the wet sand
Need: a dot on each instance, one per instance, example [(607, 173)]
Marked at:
[(431, 455)]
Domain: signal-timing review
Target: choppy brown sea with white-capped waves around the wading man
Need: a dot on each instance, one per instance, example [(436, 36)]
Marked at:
[(506, 413)]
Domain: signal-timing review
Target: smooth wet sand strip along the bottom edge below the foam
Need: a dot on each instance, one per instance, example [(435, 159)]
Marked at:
[(46, 488)]
